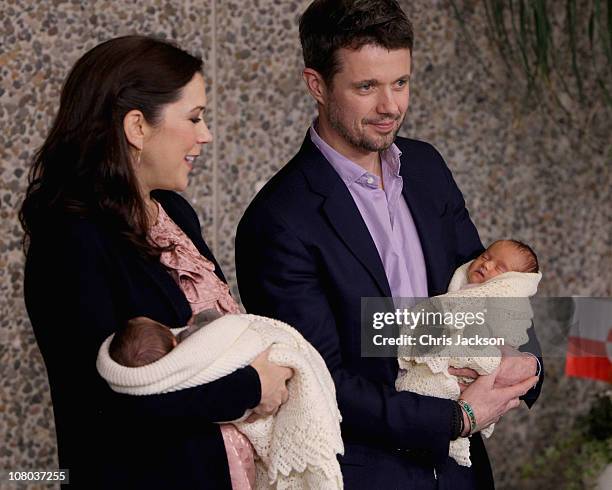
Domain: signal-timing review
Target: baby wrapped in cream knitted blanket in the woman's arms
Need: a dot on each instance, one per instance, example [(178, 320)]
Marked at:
[(297, 447)]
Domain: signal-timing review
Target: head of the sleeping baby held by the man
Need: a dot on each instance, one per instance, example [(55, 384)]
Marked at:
[(502, 256)]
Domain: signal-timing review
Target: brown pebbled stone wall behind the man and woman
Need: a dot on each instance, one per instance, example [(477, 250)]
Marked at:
[(536, 174)]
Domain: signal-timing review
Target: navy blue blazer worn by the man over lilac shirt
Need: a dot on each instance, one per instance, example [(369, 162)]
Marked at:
[(304, 255)]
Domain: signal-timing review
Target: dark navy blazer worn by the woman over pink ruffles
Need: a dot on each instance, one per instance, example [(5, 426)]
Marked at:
[(81, 284)]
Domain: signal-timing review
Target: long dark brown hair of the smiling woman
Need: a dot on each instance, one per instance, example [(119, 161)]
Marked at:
[(84, 167)]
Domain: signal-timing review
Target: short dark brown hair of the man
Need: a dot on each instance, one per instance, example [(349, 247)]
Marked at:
[(328, 25)]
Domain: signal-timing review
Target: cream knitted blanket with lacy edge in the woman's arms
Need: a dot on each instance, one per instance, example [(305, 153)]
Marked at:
[(297, 447)]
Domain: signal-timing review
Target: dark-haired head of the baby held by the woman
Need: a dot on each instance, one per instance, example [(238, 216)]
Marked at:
[(140, 342)]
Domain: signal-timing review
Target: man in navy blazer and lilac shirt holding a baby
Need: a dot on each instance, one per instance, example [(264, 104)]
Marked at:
[(359, 212)]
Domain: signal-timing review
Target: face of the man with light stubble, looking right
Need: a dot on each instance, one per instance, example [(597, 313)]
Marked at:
[(368, 100)]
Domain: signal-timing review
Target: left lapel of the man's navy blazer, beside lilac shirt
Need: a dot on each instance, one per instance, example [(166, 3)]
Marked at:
[(342, 212)]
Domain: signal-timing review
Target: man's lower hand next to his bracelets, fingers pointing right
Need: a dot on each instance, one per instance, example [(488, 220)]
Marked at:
[(490, 402)]
